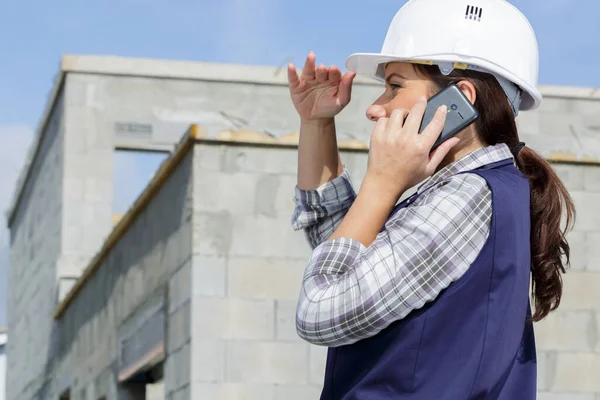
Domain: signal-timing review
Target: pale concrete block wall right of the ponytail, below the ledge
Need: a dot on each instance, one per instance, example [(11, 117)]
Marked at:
[(569, 339)]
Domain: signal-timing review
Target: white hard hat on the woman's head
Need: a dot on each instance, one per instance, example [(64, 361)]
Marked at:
[(486, 35)]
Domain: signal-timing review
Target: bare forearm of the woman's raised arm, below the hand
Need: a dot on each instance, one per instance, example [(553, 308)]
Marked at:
[(318, 157)]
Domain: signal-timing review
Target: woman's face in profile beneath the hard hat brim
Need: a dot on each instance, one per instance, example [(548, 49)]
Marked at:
[(403, 87)]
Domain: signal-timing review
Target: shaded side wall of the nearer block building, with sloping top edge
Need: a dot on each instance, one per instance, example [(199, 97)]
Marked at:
[(150, 262)]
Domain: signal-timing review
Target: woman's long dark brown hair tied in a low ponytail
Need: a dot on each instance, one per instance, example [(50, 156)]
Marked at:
[(550, 200)]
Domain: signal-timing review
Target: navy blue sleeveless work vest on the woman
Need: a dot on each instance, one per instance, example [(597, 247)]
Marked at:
[(474, 340)]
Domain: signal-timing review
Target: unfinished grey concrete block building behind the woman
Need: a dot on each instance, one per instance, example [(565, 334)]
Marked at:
[(191, 293)]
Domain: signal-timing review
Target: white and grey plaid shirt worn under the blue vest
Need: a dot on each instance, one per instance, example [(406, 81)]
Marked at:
[(351, 292)]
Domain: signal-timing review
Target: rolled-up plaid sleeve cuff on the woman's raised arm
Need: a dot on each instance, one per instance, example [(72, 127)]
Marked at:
[(320, 211)]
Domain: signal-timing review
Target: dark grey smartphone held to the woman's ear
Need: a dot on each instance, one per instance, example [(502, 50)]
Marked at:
[(461, 113)]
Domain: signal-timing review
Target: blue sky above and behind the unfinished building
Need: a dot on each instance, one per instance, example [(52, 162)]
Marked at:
[(34, 34)]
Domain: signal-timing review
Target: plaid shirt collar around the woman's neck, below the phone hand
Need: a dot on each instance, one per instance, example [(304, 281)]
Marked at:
[(476, 159)]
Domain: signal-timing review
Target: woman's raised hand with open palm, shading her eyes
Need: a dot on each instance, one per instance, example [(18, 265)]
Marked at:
[(319, 93)]
